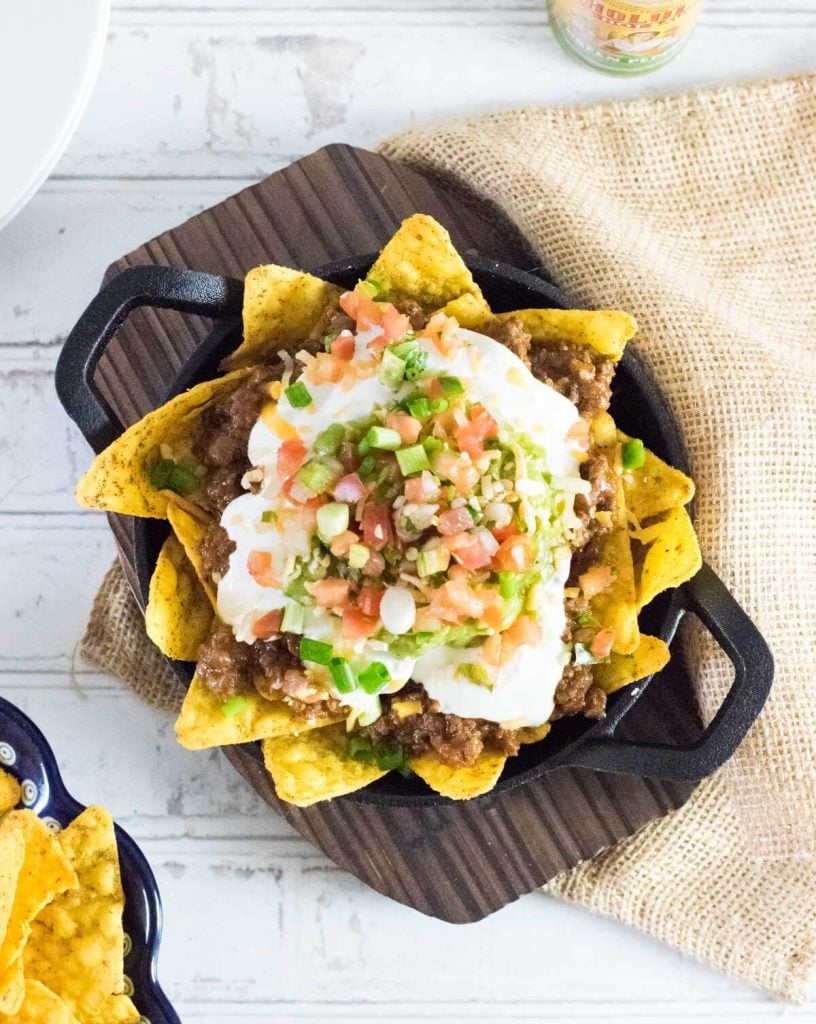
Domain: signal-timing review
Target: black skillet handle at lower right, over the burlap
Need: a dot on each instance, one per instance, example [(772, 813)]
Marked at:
[(708, 599)]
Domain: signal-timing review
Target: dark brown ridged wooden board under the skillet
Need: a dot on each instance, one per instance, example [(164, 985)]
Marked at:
[(457, 862)]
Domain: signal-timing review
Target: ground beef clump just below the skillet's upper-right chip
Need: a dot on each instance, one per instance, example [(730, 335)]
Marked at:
[(578, 373)]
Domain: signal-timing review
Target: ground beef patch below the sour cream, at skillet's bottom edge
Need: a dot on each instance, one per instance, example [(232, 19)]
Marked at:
[(456, 742)]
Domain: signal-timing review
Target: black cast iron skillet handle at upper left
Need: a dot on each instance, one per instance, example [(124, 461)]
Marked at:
[(166, 288)]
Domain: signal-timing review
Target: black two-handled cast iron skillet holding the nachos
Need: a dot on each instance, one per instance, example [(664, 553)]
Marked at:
[(638, 406)]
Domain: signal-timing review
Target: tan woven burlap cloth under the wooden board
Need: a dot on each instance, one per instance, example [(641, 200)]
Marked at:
[(699, 215)]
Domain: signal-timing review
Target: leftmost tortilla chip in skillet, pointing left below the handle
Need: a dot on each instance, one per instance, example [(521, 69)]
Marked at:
[(119, 478)]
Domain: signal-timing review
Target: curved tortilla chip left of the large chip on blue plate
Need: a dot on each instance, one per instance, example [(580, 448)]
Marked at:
[(46, 874)]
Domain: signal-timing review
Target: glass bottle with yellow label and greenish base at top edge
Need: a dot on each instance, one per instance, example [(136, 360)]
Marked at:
[(623, 37)]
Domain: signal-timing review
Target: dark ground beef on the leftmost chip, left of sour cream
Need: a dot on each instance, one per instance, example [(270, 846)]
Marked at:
[(221, 444)]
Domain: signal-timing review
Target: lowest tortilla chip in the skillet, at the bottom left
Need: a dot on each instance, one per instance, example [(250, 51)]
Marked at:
[(314, 767)]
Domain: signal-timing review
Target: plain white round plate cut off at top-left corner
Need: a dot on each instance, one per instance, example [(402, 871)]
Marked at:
[(51, 52)]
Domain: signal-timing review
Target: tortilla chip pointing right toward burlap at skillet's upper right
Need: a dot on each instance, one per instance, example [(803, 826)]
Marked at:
[(608, 331)]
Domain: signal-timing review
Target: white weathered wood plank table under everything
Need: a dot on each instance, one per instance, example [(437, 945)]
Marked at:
[(196, 100)]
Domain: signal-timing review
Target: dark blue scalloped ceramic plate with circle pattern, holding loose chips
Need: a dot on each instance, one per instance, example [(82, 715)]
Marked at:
[(25, 753)]
